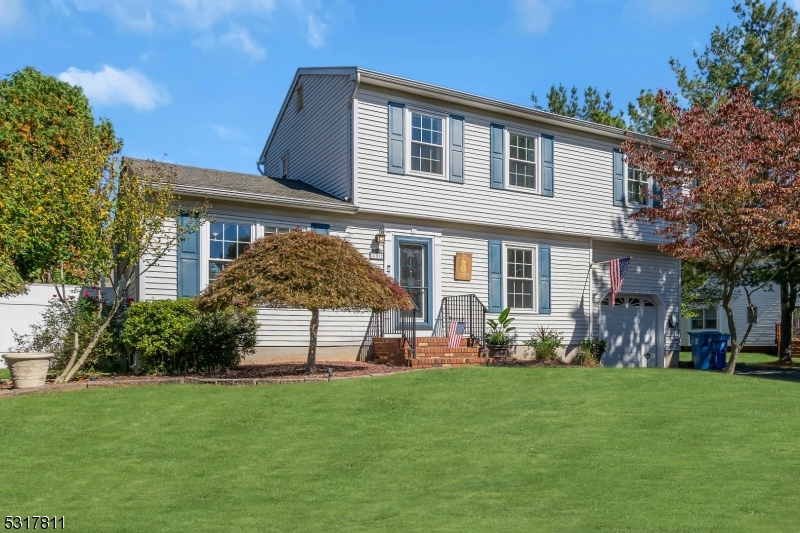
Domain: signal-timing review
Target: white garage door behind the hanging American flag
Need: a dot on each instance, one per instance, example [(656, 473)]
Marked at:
[(629, 328)]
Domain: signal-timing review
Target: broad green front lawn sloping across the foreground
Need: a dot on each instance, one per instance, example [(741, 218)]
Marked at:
[(474, 449)]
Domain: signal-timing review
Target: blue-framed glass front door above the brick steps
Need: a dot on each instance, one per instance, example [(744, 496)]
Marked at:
[(414, 274)]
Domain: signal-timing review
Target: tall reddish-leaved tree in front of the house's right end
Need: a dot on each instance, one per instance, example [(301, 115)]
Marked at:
[(729, 188)]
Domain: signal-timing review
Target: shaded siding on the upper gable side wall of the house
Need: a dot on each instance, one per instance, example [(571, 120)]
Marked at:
[(315, 139)]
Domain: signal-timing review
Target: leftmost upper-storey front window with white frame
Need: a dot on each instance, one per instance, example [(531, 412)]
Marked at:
[(428, 134)]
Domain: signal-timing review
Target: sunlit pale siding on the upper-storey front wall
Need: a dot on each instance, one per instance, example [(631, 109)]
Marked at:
[(582, 205)]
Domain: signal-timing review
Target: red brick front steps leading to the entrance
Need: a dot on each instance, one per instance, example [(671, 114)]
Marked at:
[(431, 352)]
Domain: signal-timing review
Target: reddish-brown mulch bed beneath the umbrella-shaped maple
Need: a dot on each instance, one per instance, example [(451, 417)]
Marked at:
[(278, 370)]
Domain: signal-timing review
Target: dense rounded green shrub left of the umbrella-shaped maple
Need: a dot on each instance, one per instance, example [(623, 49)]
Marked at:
[(174, 336)]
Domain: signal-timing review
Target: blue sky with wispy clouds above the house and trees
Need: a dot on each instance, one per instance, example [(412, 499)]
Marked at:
[(202, 80)]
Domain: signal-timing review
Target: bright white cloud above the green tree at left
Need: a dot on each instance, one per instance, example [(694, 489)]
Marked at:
[(110, 86)]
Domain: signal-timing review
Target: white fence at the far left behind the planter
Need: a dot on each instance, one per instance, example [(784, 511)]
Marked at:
[(18, 313)]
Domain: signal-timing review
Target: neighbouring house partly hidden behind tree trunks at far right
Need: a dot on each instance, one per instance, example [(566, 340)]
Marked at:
[(767, 302)]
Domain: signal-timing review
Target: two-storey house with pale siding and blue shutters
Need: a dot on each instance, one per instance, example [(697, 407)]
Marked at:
[(415, 175)]
